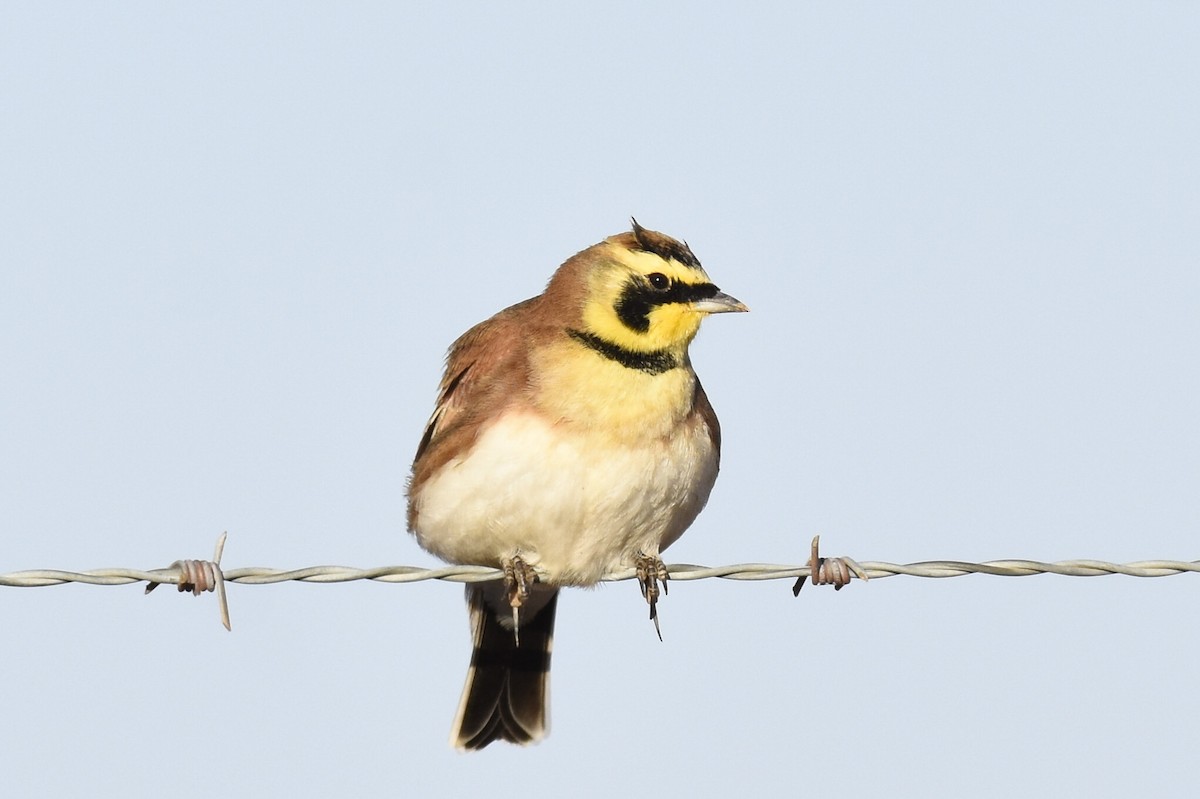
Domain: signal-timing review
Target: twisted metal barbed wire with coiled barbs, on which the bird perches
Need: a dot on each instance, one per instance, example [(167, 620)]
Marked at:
[(200, 576)]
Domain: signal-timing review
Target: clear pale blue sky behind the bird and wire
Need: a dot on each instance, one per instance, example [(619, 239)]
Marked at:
[(236, 243)]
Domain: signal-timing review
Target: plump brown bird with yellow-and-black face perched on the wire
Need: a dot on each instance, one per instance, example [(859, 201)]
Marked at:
[(571, 440)]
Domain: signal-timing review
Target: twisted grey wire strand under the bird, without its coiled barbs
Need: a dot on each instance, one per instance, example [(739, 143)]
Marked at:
[(745, 572)]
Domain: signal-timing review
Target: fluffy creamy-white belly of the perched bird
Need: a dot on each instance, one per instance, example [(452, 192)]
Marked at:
[(571, 502)]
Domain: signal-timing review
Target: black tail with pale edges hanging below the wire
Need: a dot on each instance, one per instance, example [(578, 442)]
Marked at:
[(508, 686)]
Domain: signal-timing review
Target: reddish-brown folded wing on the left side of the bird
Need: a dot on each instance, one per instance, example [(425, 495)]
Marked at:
[(487, 369)]
